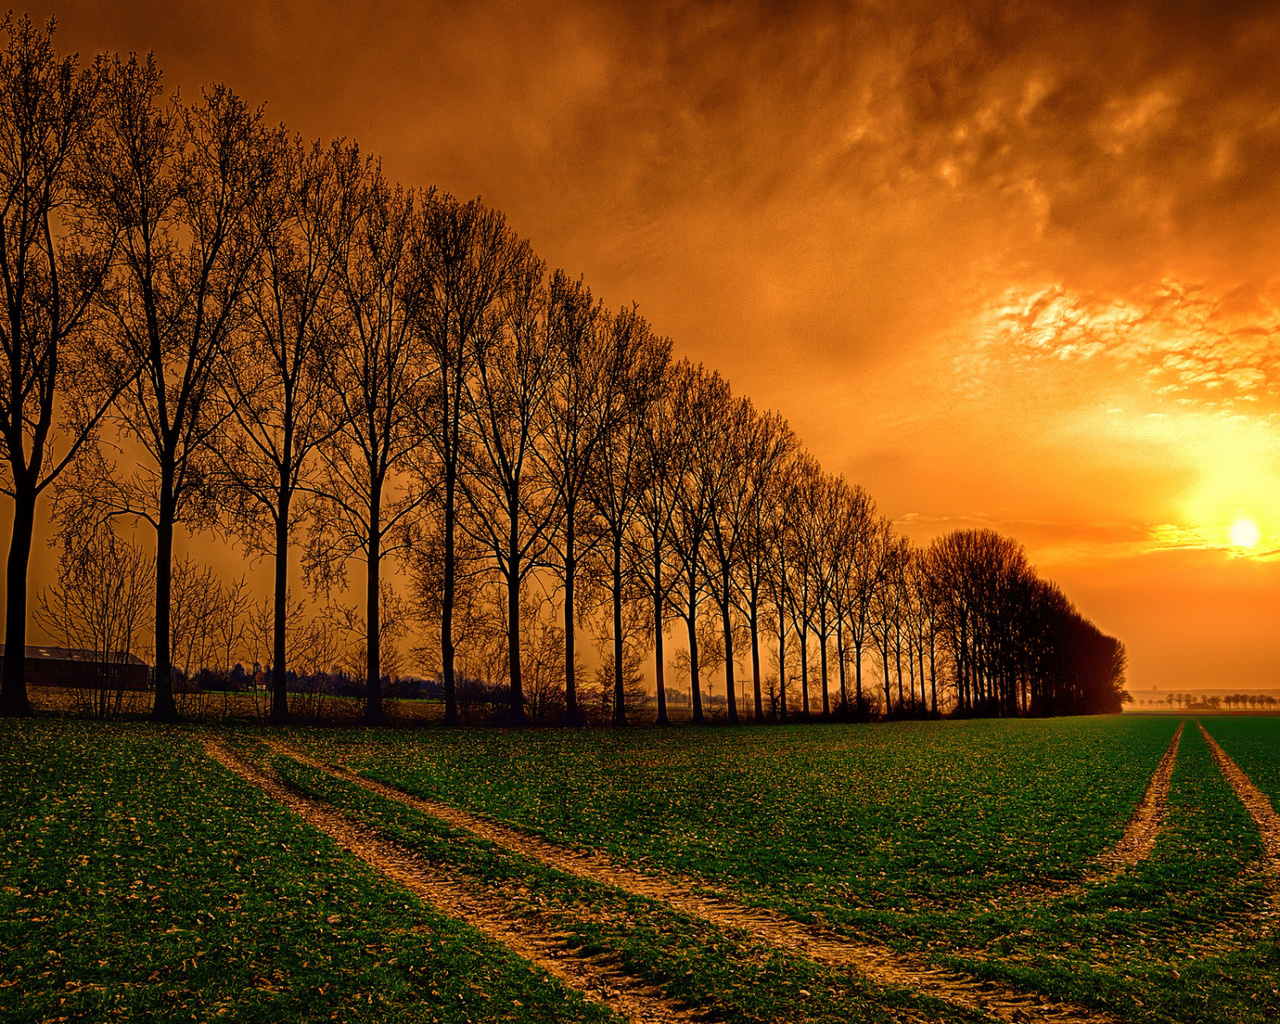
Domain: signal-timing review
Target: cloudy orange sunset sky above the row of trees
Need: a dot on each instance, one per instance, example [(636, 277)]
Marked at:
[(1003, 264)]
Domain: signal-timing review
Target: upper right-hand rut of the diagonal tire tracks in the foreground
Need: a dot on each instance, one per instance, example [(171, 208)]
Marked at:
[(879, 964)]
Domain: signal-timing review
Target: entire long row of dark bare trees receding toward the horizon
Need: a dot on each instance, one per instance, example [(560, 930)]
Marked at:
[(212, 324)]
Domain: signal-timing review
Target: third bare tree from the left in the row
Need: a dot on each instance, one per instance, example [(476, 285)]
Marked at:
[(275, 377)]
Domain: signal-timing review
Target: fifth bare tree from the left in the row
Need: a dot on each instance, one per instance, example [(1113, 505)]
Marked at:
[(474, 260)]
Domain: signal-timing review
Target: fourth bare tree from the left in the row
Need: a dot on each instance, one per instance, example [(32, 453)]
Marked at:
[(378, 380)]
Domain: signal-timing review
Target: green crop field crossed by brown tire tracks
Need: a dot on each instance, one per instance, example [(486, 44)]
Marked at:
[(1077, 870)]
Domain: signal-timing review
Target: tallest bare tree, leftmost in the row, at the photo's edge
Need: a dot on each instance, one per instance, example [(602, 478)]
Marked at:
[(52, 267)]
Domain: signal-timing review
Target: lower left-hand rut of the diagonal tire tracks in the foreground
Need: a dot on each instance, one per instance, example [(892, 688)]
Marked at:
[(597, 979)]
